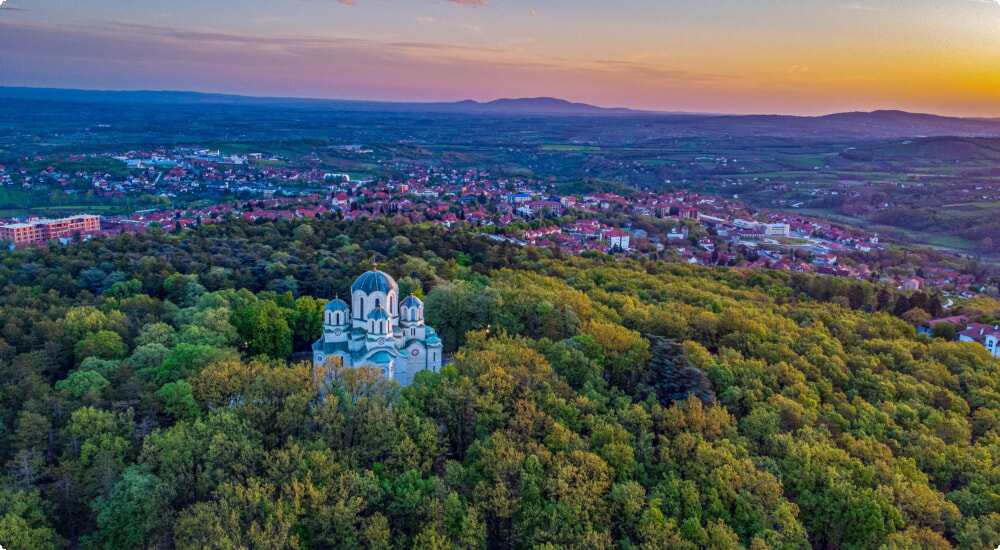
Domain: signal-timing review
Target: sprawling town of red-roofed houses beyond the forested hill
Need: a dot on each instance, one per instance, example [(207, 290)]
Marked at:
[(676, 226)]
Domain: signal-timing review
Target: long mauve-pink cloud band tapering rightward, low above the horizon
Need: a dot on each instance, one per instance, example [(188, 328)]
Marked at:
[(128, 55)]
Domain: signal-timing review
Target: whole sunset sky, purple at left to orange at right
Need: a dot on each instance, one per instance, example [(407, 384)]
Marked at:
[(806, 57)]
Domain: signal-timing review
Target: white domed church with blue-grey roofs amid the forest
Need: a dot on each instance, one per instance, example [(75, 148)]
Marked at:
[(379, 330)]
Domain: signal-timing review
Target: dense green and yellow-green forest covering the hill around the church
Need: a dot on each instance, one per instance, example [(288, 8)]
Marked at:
[(150, 397)]
